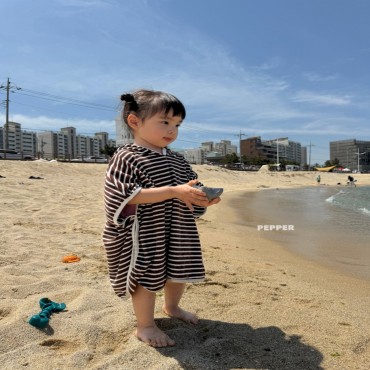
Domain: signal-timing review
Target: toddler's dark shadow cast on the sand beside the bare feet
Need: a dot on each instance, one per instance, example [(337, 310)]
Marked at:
[(221, 345)]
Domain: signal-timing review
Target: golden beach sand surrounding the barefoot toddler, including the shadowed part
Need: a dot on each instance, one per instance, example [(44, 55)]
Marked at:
[(261, 307)]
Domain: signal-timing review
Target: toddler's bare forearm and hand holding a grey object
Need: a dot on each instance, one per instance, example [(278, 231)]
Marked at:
[(185, 192)]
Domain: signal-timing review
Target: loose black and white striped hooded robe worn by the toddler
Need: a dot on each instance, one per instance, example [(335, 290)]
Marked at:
[(148, 244)]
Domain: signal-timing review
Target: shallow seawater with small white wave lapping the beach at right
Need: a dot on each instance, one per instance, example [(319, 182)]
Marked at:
[(330, 224)]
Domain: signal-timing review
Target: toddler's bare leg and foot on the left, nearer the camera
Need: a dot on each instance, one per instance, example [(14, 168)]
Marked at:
[(147, 331)]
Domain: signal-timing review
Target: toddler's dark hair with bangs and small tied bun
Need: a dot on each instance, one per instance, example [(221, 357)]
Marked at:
[(147, 103)]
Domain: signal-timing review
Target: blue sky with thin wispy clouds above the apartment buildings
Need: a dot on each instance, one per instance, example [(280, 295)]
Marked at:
[(269, 68)]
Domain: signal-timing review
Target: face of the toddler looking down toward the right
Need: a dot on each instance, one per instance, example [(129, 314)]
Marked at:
[(157, 131)]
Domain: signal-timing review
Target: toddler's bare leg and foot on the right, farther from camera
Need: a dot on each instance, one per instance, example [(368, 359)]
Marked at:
[(172, 296)]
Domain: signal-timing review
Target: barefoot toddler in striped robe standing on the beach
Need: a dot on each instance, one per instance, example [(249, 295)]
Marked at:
[(150, 237)]
